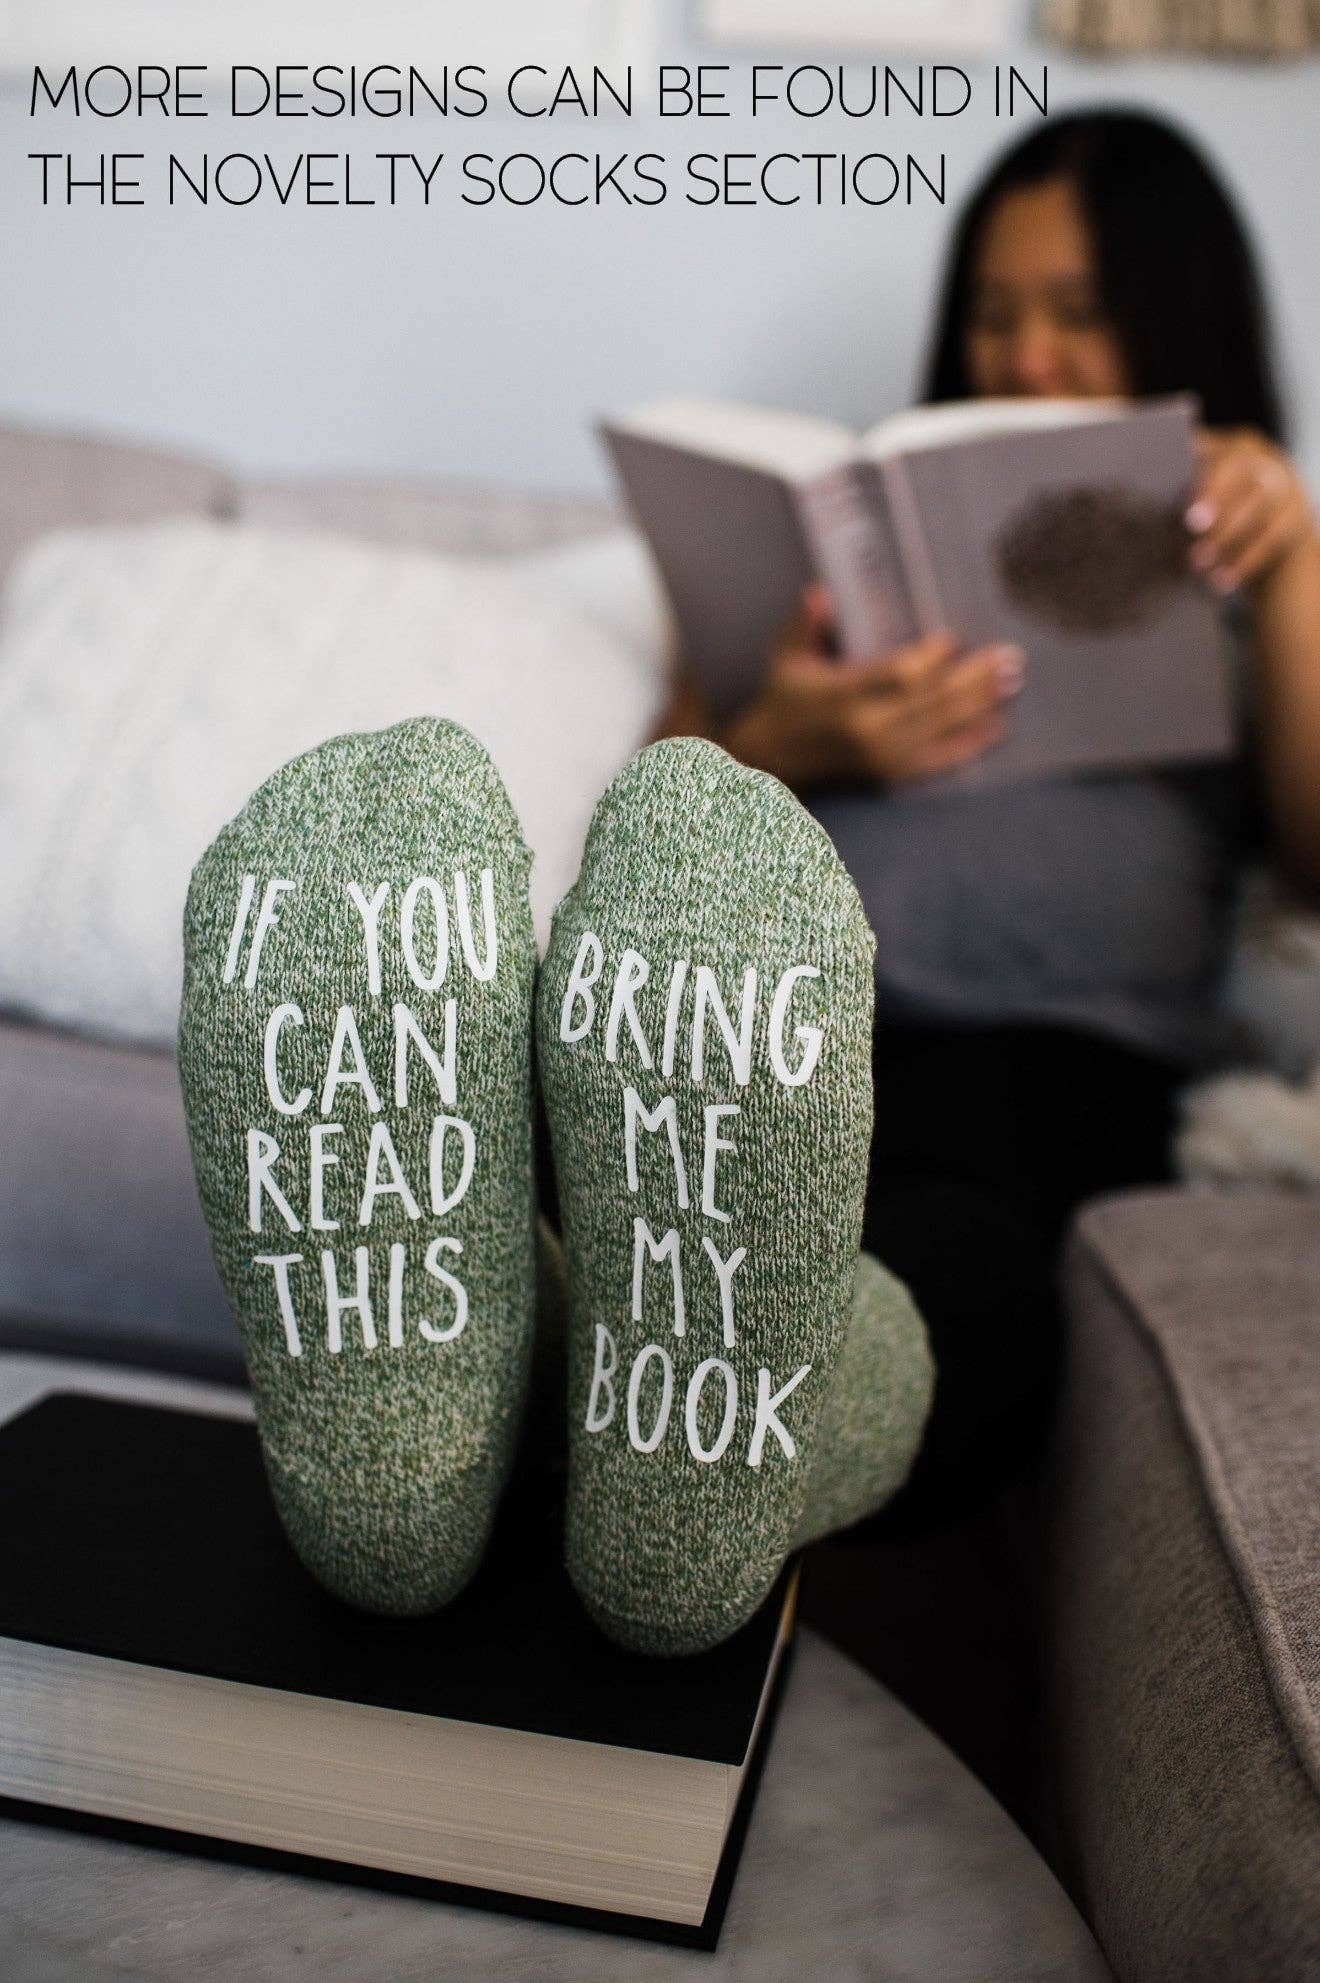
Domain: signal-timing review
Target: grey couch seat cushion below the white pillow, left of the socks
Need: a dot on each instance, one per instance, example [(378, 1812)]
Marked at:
[(102, 1236)]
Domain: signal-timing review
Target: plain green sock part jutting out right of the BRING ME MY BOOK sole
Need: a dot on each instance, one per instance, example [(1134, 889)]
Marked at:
[(877, 1407)]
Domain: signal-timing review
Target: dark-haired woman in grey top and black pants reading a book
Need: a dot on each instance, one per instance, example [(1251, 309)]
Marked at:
[(1049, 955)]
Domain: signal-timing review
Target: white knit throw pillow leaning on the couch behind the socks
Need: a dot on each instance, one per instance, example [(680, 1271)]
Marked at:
[(154, 677)]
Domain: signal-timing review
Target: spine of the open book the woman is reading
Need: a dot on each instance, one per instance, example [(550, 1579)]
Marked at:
[(857, 554)]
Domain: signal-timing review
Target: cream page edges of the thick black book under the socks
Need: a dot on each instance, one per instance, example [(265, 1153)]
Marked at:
[(237, 1762)]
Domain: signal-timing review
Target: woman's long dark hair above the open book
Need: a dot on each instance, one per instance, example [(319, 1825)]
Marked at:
[(1178, 279)]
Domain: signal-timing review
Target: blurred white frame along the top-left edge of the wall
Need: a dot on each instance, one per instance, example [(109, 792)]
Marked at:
[(267, 33)]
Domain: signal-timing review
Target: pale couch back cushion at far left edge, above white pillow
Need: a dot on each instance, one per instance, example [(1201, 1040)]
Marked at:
[(53, 481)]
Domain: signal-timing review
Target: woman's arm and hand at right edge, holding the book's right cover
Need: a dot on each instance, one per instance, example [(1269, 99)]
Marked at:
[(1256, 532)]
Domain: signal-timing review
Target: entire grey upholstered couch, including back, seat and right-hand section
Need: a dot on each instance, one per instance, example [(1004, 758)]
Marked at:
[(1184, 1599)]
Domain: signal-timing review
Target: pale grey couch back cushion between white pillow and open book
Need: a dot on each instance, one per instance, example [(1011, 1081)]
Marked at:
[(457, 519)]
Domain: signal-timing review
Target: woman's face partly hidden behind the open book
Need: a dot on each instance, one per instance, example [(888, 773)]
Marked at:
[(1036, 324)]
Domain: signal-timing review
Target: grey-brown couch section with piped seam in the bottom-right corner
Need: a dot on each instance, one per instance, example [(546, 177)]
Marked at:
[(1188, 1583)]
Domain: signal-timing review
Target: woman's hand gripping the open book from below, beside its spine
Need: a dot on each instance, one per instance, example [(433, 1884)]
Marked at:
[(907, 715)]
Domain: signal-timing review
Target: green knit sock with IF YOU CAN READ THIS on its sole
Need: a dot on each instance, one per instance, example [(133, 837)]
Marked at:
[(356, 1054)]
